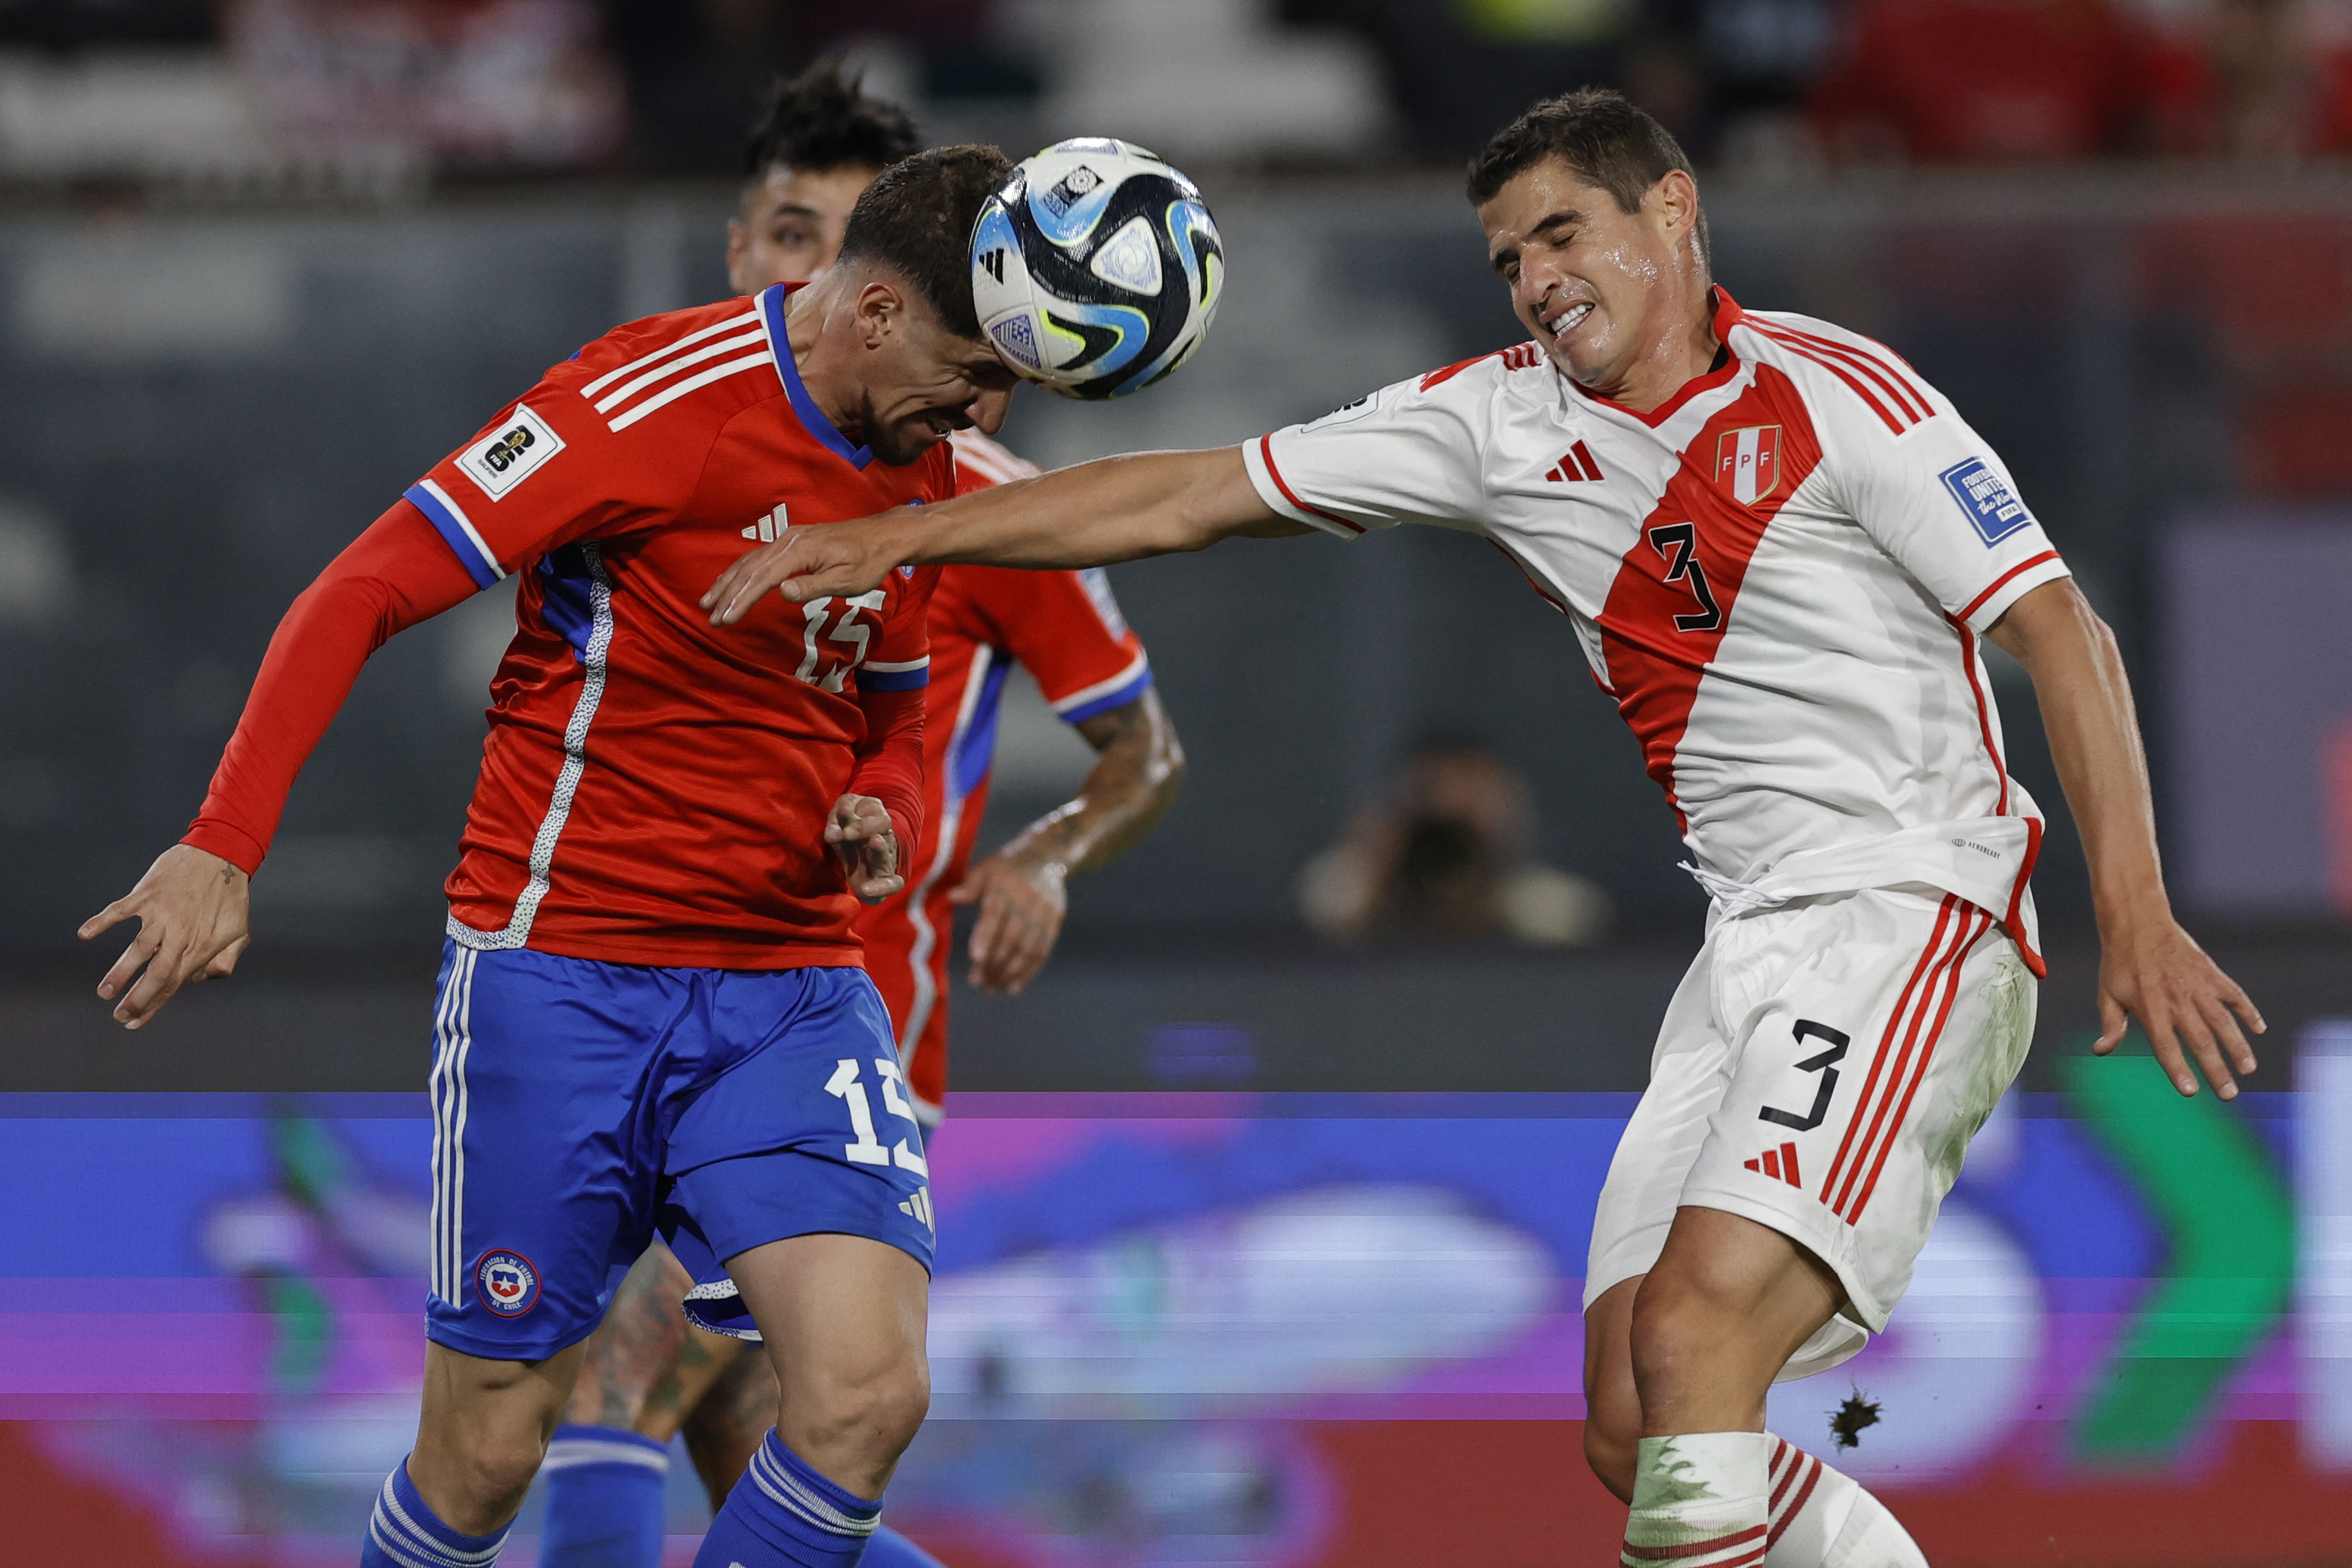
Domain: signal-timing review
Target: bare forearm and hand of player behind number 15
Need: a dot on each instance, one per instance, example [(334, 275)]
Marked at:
[(1132, 784)]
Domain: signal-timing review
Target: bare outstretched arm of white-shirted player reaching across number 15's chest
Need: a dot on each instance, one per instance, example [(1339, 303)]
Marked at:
[(1088, 516)]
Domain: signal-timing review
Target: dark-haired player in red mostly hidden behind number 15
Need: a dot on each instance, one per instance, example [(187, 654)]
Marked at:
[(650, 1374)]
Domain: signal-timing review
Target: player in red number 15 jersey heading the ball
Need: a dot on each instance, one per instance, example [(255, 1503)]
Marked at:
[(653, 1012)]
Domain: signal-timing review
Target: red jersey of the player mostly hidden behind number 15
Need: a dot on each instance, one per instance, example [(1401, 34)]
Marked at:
[(1069, 634)]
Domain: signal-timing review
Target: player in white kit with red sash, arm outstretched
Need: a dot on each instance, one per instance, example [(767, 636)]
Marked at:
[(1782, 554)]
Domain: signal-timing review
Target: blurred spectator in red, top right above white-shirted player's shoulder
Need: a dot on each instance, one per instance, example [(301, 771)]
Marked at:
[(1989, 81)]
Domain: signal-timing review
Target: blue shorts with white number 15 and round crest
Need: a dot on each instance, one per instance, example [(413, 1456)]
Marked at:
[(580, 1108)]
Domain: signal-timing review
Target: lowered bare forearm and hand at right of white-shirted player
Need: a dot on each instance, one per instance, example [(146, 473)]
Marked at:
[(2151, 970)]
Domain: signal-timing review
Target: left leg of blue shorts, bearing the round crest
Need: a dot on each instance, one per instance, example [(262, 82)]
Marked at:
[(540, 1193)]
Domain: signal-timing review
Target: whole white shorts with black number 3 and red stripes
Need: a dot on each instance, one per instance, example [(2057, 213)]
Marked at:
[(1822, 1071)]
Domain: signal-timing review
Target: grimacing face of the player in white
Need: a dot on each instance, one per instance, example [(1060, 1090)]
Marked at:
[(1591, 281)]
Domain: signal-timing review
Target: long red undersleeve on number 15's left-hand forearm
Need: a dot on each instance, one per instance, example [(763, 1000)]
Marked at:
[(389, 579)]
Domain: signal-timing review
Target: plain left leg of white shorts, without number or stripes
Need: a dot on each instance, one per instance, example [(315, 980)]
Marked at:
[(1688, 1078)]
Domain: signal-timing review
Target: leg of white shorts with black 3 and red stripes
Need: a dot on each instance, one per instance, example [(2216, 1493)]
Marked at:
[(1880, 1033)]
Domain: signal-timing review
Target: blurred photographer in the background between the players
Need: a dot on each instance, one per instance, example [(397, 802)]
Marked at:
[(1450, 855)]
